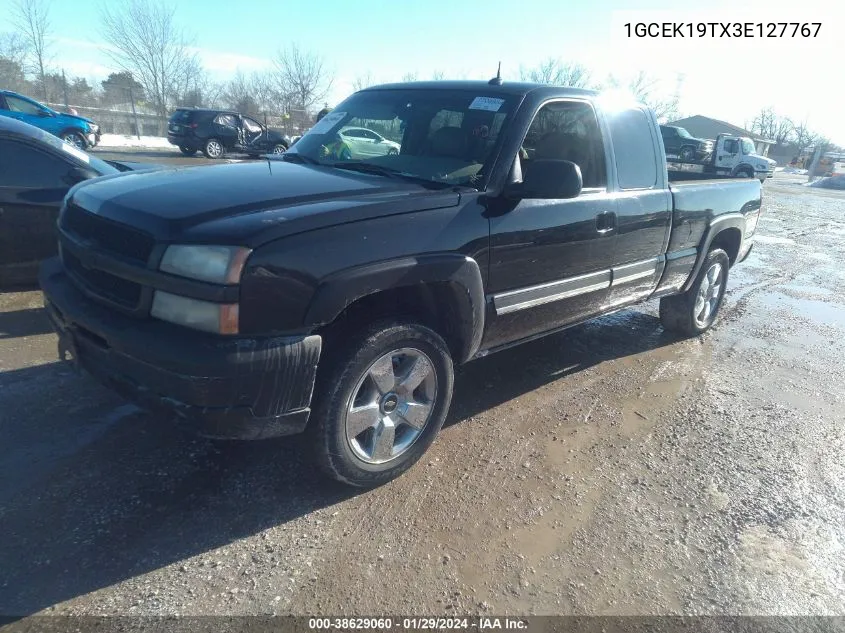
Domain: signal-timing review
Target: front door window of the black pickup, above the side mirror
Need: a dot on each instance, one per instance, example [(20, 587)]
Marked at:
[(568, 130)]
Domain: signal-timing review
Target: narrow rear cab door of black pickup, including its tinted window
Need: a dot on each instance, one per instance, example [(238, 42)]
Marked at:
[(643, 204)]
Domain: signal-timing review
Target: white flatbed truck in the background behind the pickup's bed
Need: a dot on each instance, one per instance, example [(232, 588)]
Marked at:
[(732, 157)]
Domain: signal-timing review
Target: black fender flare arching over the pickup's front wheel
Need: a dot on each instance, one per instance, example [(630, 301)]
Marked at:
[(445, 291)]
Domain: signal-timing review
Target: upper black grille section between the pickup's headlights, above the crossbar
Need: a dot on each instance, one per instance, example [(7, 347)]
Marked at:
[(107, 235)]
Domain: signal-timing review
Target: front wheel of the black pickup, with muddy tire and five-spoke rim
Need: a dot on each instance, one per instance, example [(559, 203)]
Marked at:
[(381, 403)]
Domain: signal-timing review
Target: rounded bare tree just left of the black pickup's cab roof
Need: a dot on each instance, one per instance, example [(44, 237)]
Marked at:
[(301, 77)]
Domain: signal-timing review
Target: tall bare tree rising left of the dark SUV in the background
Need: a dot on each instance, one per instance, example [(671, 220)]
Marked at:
[(146, 42)]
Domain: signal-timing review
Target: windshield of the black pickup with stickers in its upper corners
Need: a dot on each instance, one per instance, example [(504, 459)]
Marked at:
[(443, 136)]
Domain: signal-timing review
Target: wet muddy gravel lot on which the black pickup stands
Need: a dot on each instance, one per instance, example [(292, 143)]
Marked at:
[(611, 469)]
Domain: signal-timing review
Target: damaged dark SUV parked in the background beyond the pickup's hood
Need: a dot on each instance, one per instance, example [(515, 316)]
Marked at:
[(215, 132)]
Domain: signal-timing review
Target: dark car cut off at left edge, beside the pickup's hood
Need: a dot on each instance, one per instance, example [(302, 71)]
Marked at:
[(37, 169)]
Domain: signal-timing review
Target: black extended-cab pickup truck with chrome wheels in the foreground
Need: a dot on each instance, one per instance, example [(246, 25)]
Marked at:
[(330, 293)]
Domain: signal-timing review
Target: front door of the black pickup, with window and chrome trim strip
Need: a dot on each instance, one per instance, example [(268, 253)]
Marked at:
[(550, 260)]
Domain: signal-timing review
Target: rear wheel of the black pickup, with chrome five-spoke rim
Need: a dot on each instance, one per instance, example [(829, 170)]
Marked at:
[(694, 312)]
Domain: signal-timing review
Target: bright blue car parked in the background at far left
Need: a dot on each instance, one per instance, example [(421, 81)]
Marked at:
[(74, 130)]
